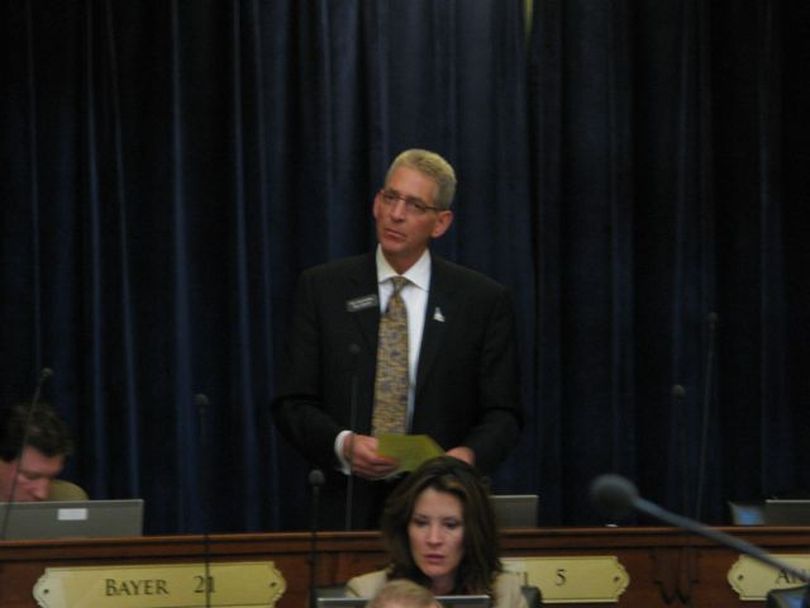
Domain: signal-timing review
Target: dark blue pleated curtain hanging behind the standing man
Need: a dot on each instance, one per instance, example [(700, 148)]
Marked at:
[(634, 172)]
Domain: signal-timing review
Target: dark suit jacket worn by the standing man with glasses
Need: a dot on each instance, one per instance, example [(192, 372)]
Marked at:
[(467, 389)]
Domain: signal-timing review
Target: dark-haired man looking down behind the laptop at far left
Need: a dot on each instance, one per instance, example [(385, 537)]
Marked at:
[(28, 472)]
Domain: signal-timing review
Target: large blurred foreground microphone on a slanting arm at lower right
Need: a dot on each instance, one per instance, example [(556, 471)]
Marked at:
[(616, 497)]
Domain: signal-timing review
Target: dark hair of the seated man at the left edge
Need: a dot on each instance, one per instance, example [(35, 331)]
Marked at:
[(47, 432)]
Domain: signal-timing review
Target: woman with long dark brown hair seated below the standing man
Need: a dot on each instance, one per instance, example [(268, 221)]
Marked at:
[(439, 529)]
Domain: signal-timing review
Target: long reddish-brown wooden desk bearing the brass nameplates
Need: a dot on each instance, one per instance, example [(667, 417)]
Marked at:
[(667, 567)]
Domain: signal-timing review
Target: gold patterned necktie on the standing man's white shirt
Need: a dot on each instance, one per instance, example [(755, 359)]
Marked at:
[(391, 384)]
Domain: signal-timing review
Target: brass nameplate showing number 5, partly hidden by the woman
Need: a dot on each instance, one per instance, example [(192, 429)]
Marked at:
[(570, 580)]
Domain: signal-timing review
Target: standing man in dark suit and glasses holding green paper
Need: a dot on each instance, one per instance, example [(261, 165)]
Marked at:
[(444, 336)]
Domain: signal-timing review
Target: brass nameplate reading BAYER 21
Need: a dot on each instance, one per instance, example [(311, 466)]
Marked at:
[(232, 584)]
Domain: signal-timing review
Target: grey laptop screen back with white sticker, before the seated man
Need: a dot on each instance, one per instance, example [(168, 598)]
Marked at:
[(73, 519)]
